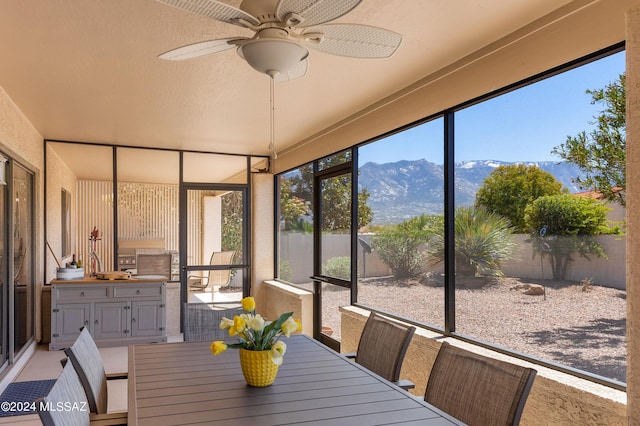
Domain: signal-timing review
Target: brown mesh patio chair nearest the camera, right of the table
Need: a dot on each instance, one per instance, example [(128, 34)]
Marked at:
[(477, 389)]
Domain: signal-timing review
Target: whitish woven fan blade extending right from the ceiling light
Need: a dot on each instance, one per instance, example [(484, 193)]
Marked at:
[(352, 40)]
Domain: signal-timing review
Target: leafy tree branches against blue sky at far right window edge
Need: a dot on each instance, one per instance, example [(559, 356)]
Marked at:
[(600, 154)]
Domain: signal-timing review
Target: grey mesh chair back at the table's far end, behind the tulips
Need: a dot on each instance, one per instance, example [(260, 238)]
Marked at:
[(202, 320)]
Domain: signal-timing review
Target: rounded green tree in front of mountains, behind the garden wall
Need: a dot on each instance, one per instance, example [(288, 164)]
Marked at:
[(508, 190)]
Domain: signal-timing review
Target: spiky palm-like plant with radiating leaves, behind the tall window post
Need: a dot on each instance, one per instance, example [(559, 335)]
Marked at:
[(483, 242)]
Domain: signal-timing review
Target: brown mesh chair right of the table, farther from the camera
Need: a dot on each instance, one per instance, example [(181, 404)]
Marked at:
[(382, 347)]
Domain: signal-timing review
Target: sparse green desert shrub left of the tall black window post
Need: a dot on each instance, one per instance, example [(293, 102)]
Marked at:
[(398, 246)]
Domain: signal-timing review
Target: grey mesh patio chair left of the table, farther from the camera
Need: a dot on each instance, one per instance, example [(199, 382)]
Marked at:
[(86, 360)]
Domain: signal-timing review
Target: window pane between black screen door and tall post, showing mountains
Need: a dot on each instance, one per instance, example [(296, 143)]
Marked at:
[(401, 180)]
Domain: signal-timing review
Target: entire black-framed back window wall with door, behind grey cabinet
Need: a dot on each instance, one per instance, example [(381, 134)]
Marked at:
[(132, 210)]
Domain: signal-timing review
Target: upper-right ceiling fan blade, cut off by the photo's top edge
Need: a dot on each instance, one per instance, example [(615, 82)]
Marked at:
[(314, 12)]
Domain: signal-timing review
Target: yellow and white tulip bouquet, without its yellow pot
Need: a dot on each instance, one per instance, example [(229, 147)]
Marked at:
[(256, 333)]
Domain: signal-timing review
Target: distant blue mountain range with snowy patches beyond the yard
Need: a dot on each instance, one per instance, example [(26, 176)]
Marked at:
[(405, 189)]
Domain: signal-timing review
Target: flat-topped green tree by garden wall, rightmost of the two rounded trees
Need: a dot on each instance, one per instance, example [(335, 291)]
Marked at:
[(566, 224)]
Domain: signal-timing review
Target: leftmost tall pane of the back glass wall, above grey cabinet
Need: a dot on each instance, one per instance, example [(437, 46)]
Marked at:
[(84, 173)]
